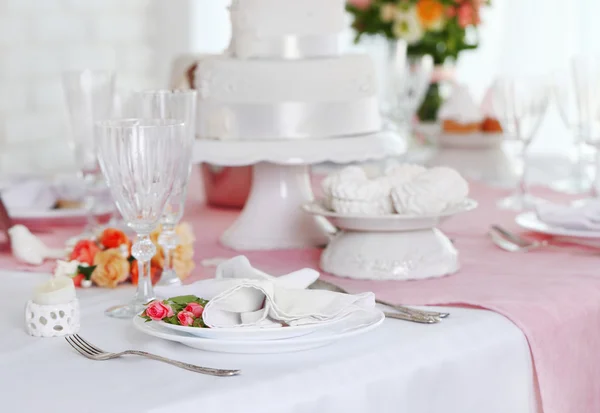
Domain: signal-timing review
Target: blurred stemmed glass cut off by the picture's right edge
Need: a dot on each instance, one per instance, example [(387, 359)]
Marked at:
[(586, 79)]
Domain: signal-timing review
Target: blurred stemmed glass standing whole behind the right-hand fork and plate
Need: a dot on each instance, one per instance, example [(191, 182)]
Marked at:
[(520, 104)]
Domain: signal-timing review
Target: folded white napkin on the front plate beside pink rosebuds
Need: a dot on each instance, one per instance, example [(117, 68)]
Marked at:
[(242, 296)]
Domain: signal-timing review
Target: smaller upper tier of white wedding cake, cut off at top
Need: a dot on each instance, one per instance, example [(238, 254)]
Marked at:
[(290, 29)]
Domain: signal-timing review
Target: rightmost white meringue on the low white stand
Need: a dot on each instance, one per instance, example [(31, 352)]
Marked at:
[(430, 193)]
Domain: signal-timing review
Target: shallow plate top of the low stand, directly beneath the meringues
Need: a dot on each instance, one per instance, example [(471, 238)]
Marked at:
[(386, 223)]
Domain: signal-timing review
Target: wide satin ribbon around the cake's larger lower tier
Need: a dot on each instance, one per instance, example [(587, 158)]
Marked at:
[(289, 120)]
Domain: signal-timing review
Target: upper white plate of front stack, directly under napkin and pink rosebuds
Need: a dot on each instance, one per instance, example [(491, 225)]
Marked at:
[(249, 333)]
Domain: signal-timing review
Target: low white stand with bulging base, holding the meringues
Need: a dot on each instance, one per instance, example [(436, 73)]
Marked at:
[(390, 247)]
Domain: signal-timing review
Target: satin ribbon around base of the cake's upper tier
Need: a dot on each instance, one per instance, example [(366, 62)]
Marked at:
[(285, 47)]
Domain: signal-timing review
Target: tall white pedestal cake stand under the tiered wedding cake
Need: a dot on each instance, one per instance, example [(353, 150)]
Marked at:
[(272, 217)]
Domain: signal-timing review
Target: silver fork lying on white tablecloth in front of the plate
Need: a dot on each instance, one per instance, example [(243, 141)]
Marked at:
[(92, 352)]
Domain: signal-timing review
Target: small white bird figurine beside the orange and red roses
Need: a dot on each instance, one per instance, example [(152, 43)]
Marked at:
[(29, 249)]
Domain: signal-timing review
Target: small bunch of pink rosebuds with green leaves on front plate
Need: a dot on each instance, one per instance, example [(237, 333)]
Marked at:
[(185, 310)]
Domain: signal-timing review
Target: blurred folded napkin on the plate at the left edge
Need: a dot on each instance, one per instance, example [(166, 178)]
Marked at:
[(28, 194)]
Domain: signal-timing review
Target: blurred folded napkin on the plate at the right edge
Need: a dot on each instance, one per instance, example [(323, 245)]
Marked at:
[(582, 217)]
